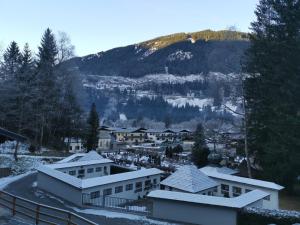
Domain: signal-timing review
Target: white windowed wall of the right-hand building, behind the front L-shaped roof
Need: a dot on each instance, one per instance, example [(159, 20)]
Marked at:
[(273, 203)]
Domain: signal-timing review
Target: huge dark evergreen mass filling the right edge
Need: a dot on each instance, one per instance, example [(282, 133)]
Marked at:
[(273, 89)]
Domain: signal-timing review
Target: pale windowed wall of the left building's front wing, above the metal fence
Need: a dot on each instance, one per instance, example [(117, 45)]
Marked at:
[(131, 194)]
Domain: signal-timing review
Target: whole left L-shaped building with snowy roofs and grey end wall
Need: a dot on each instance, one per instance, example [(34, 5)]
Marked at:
[(85, 178)]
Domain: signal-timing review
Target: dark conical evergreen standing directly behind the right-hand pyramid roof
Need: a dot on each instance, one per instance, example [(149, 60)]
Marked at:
[(200, 151)]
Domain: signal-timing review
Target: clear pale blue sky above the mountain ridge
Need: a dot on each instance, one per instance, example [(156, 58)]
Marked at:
[(97, 25)]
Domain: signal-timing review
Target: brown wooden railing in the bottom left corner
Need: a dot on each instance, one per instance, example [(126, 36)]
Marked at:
[(39, 213)]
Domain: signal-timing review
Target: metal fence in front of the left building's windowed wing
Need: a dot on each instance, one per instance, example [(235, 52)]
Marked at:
[(141, 206)]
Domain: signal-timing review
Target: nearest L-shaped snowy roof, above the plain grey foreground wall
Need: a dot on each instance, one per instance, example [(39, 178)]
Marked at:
[(237, 202)]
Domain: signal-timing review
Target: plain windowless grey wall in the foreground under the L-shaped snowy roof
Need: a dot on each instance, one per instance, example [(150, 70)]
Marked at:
[(193, 213)]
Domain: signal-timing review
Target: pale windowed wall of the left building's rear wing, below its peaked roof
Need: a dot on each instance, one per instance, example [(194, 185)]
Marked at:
[(86, 174)]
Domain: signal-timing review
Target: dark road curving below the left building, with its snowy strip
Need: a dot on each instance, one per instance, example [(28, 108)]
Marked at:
[(25, 188)]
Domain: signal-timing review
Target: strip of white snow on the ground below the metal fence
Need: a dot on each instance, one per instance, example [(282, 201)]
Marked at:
[(111, 214)]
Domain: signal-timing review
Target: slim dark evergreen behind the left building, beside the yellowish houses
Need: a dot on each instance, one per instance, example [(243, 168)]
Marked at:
[(92, 129)]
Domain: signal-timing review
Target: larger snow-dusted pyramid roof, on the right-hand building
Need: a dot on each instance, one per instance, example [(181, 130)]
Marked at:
[(189, 178)]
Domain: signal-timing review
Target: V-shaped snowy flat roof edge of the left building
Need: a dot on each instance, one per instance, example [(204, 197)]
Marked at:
[(97, 181)]
